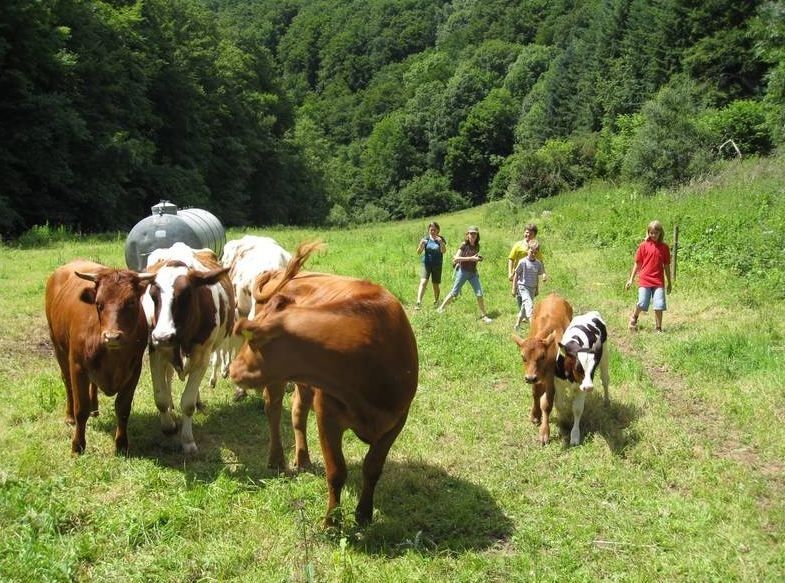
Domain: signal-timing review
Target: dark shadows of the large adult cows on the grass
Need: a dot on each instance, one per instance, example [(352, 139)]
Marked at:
[(417, 506)]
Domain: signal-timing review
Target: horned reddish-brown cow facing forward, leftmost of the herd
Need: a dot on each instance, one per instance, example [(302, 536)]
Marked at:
[(99, 333)]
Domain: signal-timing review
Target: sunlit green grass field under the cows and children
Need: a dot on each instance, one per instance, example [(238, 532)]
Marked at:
[(681, 478)]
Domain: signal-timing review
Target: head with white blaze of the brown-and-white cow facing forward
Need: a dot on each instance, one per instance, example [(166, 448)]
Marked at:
[(177, 301)]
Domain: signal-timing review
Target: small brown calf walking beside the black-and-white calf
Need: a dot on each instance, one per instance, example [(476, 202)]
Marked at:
[(539, 351)]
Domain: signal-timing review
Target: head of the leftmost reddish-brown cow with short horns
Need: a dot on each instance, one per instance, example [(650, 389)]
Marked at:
[(116, 297)]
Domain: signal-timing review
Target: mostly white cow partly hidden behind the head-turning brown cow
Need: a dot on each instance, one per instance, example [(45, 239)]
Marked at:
[(246, 258)]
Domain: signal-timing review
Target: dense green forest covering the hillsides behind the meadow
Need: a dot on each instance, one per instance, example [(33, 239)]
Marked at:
[(334, 113)]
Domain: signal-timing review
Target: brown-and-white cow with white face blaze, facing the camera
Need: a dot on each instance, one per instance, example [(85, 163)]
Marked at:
[(190, 309)]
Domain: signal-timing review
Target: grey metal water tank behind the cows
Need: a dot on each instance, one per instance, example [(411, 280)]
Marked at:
[(166, 226)]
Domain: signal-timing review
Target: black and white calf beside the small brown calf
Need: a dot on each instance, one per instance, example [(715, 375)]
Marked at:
[(581, 350)]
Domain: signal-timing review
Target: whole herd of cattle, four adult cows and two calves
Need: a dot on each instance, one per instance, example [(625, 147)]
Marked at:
[(257, 317)]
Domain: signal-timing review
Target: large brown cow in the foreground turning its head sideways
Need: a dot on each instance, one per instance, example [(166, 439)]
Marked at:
[(351, 339)]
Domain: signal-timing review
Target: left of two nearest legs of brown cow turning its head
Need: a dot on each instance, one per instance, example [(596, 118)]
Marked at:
[(331, 441)]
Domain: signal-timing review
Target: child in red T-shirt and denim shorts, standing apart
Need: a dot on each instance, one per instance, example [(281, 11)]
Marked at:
[(652, 262)]
